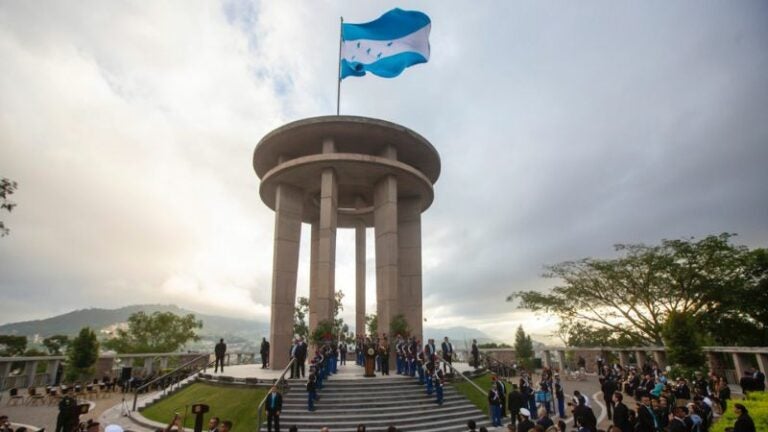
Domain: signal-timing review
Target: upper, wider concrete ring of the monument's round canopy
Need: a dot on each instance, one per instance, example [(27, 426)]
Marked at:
[(351, 134)]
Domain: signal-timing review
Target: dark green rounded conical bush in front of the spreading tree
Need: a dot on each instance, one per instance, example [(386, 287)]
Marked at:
[(682, 340)]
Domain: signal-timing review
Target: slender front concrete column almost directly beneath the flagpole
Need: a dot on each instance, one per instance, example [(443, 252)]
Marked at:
[(322, 297)]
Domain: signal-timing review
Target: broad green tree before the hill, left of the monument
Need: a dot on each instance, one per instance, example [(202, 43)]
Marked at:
[(157, 333)]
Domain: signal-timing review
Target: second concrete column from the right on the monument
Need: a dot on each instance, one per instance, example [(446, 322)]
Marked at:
[(385, 226)]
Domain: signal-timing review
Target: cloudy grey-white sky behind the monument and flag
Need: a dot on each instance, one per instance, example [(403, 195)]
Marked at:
[(563, 128)]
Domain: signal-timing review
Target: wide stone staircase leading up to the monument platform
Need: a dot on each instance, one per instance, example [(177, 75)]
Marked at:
[(347, 400)]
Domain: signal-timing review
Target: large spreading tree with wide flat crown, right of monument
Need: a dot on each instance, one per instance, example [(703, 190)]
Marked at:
[(721, 284)]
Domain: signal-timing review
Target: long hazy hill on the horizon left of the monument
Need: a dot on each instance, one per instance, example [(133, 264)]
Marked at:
[(70, 323)]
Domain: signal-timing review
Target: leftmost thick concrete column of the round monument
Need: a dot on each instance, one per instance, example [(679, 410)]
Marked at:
[(289, 204)]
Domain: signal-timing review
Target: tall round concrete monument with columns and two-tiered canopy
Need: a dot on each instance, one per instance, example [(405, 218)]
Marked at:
[(346, 172)]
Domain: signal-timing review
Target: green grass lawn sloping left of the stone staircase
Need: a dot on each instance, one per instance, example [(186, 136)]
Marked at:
[(228, 403)]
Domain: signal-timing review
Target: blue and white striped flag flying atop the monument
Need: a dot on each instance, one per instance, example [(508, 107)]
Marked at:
[(386, 46)]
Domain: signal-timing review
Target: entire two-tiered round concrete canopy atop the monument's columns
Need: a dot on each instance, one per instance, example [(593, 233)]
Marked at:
[(357, 163)]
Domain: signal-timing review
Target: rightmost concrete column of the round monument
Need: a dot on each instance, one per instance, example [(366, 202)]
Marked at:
[(409, 263)]
